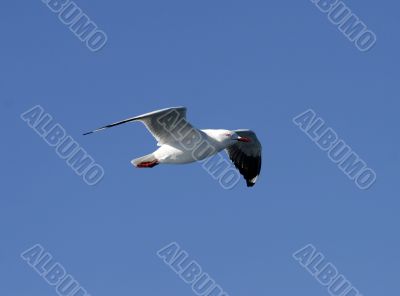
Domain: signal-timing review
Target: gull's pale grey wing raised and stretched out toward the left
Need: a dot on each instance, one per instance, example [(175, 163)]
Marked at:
[(166, 125)]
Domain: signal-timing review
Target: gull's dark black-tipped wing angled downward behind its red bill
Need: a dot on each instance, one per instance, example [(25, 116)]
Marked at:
[(247, 156)]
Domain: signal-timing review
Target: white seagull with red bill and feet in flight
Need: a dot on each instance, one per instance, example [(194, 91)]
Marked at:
[(180, 143)]
